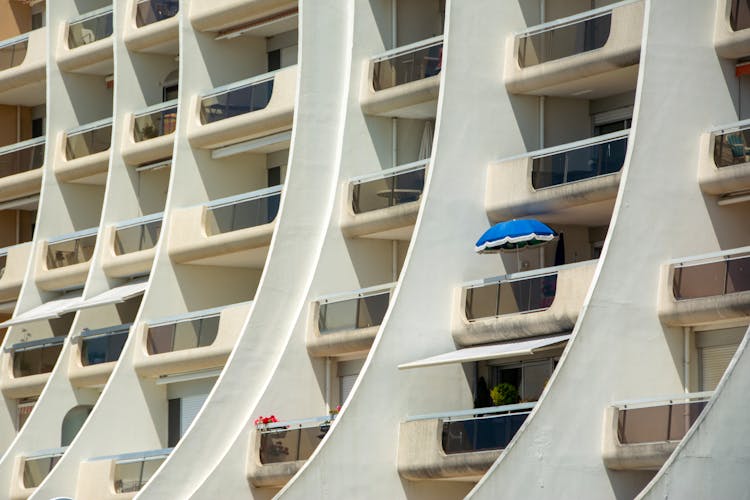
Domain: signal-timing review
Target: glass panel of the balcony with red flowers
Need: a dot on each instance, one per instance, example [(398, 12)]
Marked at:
[(290, 445)]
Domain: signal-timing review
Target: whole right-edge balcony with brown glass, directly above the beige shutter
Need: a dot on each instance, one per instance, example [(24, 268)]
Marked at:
[(706, 289)]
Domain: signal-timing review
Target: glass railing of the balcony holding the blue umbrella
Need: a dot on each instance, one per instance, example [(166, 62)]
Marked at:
[(524, 292)]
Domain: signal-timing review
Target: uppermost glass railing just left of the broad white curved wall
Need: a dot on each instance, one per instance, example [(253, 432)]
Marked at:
[(237, 98)]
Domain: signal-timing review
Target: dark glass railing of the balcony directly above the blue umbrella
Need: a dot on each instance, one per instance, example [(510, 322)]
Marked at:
[(579, 161)]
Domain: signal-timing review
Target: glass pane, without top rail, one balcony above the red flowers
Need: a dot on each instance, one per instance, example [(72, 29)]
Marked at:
[(360, 312)]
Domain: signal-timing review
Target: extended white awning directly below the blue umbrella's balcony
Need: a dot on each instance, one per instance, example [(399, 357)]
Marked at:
[(492, 351)]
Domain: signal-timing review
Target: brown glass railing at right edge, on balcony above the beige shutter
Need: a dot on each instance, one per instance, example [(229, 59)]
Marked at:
[(729, 273)]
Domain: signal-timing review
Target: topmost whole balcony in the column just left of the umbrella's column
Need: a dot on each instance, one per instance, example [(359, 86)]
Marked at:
[(404, 82)]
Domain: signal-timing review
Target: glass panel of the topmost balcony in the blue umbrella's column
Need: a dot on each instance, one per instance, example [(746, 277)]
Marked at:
[(564, 41)]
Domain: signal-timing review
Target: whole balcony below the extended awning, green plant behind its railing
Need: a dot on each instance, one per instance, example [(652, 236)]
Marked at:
[(459, 445)]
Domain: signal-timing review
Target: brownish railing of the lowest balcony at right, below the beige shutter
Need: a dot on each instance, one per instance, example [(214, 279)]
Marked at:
[(659, 420)]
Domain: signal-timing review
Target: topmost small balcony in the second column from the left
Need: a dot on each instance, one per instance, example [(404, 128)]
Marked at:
[(87, 44)]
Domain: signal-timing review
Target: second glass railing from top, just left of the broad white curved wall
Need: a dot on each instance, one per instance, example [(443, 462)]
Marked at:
[(243, 211)]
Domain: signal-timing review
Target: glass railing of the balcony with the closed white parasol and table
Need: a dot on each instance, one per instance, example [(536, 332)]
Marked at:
[(388, 188)]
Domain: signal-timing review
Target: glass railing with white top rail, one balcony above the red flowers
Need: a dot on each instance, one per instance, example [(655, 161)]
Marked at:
[(354, 310)]
